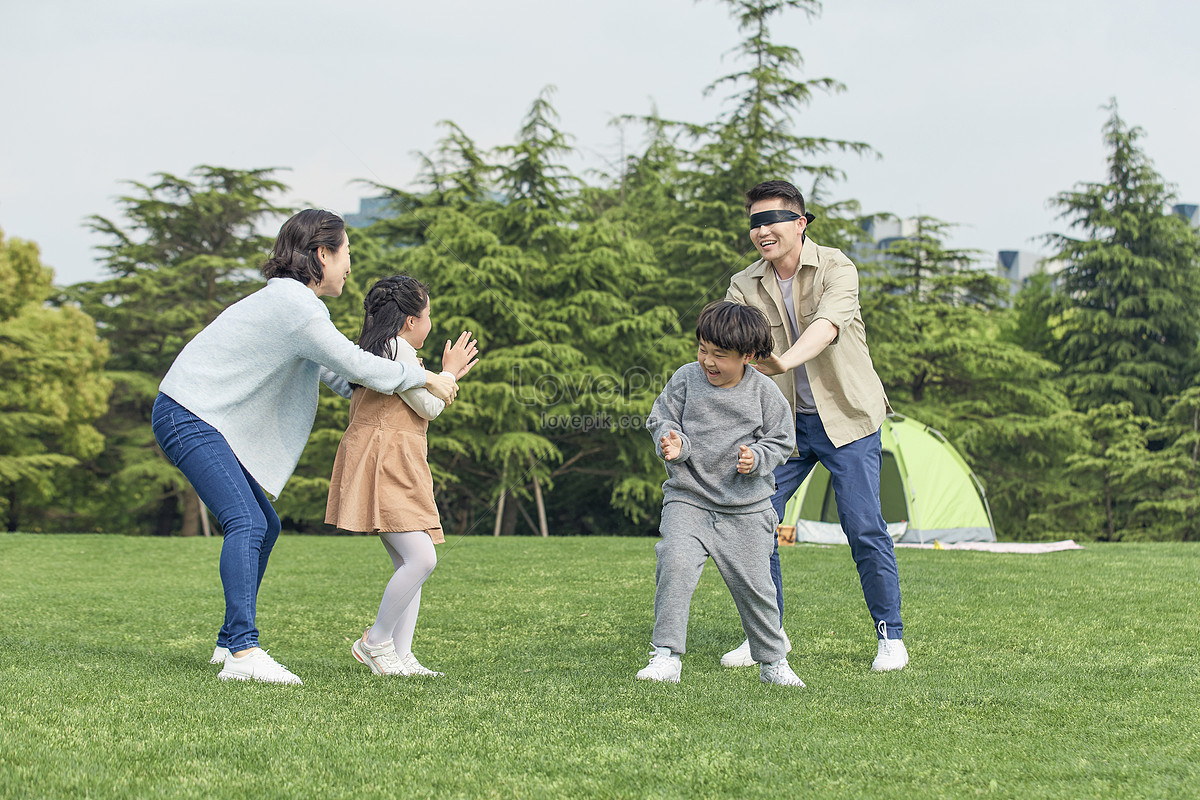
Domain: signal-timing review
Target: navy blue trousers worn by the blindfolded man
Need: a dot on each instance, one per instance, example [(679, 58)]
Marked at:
[(855, 470)]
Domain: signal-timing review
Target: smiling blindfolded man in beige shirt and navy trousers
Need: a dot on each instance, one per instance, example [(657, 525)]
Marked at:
[(821, 364)]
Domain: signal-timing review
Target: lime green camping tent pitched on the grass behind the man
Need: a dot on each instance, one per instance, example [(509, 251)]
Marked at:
[(927, 492)]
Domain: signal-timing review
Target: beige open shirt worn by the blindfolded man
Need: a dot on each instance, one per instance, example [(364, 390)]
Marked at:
[(849, 395)]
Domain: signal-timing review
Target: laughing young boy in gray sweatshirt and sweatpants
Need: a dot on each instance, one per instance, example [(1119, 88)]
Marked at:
[(722, 428)]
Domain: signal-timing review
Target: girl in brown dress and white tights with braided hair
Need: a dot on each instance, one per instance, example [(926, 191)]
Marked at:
[(382, 483)]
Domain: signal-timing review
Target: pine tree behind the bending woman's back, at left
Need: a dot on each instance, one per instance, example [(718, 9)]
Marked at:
[(187, 249)]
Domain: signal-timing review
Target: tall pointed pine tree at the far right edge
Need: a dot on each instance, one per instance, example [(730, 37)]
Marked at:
[(1130, 298)]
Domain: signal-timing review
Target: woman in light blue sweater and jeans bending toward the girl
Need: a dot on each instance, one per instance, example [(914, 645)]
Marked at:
[(237, 406)]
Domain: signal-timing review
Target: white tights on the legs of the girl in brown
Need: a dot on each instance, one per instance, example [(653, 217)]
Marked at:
[(415, 558)]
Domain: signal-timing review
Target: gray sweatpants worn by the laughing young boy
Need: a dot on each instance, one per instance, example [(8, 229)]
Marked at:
[(741, 546)]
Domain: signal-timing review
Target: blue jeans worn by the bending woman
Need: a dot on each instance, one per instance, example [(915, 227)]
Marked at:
[(241, 506)]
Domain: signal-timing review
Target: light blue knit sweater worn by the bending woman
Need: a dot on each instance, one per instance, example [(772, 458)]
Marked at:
[(255, 374)]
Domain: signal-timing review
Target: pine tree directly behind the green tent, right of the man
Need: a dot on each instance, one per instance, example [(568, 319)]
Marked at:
[(938, 338)]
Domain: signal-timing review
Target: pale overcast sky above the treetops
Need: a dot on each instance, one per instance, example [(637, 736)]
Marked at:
[(981, 111)]
